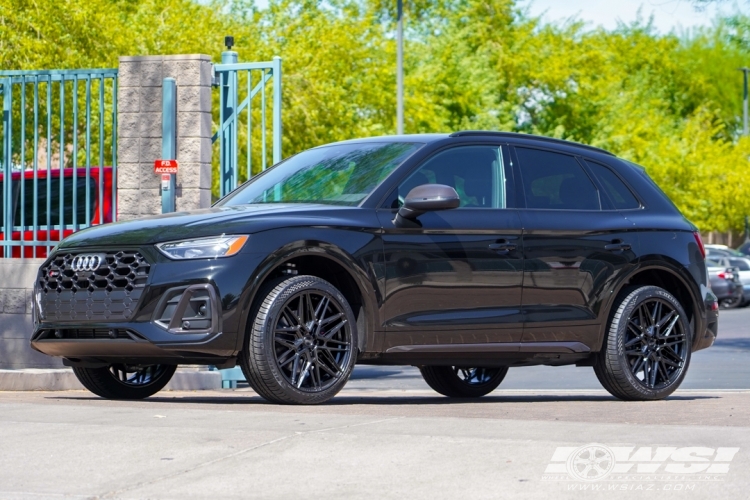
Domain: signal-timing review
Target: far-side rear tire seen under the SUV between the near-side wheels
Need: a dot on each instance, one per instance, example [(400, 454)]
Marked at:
[(458, 382)]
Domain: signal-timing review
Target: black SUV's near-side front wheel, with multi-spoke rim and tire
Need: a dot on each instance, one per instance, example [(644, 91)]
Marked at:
[(300, 356)]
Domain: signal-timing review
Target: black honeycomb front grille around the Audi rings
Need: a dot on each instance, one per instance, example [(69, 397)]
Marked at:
[(109, 293)]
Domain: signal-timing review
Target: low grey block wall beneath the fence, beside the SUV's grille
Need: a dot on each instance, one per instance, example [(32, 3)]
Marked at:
[(16, 282)]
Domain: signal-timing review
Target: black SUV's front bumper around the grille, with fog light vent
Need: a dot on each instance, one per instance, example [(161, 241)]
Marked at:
[(149, 334)]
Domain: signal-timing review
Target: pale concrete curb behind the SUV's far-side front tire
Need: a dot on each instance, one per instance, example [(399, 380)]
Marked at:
[(64, 380)]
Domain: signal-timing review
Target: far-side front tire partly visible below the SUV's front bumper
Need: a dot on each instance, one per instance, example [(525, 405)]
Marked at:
[(121, 381)]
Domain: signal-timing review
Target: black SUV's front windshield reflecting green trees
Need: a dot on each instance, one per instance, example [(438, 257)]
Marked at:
[(342, 174)]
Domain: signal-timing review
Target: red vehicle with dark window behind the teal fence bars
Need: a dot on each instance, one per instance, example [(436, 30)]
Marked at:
[(49, 218)]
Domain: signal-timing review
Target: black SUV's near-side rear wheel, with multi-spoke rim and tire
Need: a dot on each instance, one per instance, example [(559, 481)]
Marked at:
[(646, 352)]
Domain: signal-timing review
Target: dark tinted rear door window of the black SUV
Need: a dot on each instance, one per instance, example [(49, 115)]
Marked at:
[(555, 181)]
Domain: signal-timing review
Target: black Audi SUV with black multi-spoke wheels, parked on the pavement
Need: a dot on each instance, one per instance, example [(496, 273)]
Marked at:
[(462, 254)]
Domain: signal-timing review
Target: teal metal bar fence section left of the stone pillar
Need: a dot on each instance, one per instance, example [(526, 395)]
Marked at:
[(58, 156)]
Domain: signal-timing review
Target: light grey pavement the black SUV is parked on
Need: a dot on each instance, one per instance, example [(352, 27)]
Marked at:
[(547, 432)]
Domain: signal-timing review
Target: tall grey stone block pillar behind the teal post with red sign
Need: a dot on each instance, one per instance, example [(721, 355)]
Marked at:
[(139, 132)]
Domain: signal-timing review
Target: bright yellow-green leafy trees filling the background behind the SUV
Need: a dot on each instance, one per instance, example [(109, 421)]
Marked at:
[(667, 101)]
